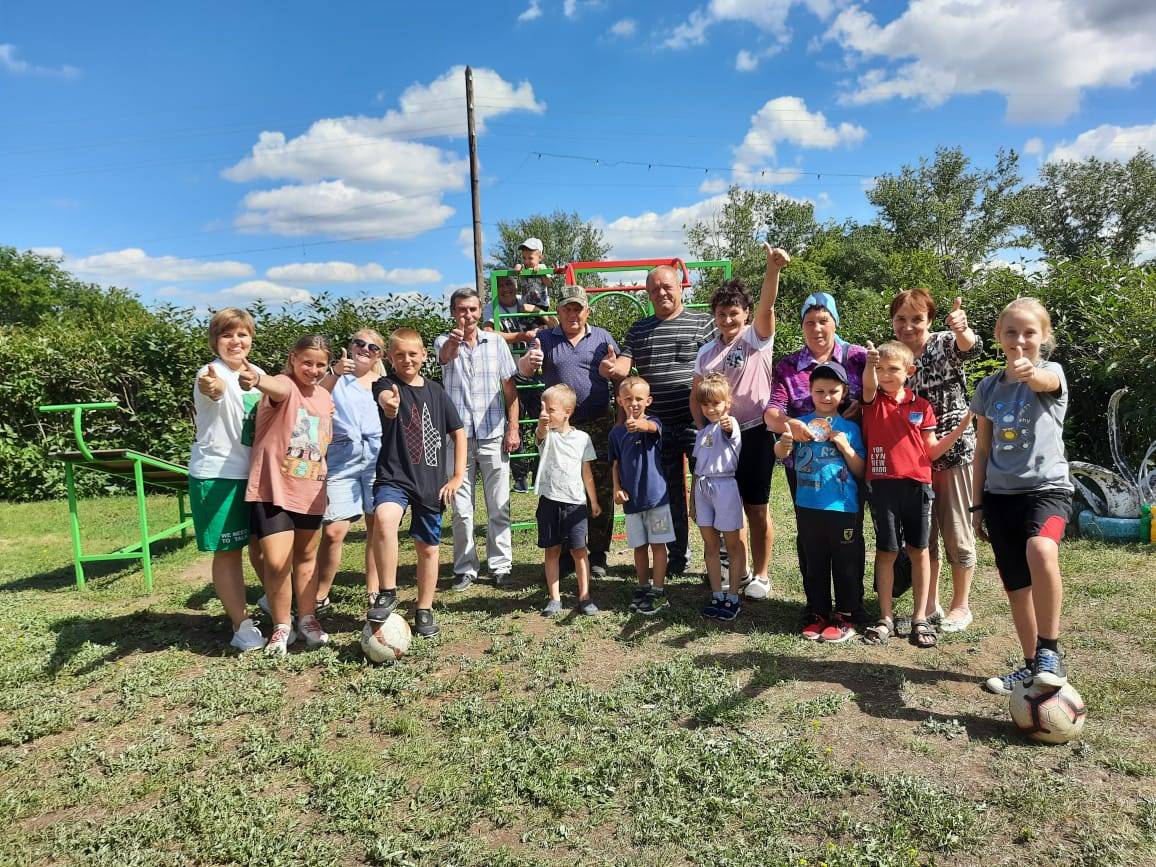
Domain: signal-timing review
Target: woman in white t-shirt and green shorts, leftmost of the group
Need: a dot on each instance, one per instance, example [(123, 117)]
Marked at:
[(225, 403)]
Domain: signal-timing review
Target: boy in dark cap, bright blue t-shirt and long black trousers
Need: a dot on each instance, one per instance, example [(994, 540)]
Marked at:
[(827, 509)]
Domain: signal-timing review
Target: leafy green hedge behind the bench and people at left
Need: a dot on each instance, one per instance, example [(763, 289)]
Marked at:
[(146, 362)]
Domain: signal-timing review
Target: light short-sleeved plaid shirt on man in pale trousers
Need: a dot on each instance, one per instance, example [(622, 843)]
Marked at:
[(473, 381)]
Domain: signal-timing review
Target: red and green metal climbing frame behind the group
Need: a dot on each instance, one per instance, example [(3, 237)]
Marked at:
[(572, 275)]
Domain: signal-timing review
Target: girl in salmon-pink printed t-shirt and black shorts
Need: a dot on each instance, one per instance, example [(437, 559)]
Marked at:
[(287, 486)]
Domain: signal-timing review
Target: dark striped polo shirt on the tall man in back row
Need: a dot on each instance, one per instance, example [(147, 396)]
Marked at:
[(664, 352)]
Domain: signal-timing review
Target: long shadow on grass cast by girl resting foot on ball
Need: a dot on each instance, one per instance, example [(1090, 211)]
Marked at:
[(877, 687)]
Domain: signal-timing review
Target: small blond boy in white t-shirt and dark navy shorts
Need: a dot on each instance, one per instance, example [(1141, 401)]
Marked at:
[(565, 484)]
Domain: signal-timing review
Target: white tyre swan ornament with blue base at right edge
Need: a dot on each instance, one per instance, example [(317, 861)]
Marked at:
[(1120, 502)]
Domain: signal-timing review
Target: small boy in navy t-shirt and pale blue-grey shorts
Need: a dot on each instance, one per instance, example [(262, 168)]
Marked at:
[(640, 488)]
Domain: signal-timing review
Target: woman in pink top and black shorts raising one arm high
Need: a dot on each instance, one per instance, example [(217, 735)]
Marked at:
[(743, 354)]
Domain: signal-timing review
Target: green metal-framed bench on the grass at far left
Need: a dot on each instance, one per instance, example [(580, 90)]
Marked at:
[(144, 470)]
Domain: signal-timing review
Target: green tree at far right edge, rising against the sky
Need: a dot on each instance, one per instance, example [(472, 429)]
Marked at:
[(1092, 208)]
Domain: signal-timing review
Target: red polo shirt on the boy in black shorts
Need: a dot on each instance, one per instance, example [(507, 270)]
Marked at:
[(894, 433)]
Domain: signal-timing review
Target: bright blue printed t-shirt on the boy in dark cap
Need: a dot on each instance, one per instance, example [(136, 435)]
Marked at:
[(825, 481)]
